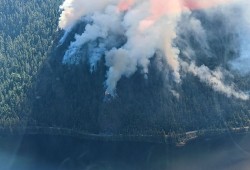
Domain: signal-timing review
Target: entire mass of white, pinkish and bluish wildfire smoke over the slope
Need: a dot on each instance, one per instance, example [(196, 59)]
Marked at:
[(156, 27)]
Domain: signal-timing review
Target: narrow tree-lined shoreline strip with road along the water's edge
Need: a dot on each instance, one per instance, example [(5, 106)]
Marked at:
[(176, 139)]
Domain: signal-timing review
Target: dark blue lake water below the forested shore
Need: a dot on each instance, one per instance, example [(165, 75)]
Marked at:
[(41, 152)]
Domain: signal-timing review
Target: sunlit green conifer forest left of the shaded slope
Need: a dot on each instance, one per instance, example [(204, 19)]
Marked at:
[(26, 36)]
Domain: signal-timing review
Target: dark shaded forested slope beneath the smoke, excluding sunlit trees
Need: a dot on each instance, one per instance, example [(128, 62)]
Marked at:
[(74, 97)]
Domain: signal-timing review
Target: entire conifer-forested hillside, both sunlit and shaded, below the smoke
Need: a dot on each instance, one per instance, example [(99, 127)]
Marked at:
[(36, 89)]
